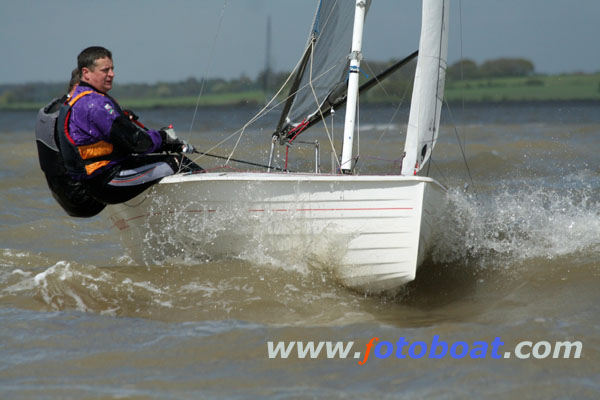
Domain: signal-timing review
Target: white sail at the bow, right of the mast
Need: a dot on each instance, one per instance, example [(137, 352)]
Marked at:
[(428, 90)]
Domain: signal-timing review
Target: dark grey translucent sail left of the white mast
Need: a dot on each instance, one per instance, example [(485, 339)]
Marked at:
[(323, 74)]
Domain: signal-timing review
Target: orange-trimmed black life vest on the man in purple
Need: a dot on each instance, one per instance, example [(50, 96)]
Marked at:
[(81, 160)]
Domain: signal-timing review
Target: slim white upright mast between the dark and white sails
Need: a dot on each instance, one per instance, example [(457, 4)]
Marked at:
[(355, 58)]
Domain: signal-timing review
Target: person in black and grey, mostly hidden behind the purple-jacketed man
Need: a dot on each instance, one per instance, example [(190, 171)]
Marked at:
[(70, 194)]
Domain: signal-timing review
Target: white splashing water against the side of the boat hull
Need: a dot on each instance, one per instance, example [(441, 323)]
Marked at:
[(190, 235)]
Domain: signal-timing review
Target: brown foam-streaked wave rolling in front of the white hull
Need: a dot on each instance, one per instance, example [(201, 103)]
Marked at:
[(234, 290)]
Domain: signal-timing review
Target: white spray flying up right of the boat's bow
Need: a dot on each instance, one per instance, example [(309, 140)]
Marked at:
[(513, 225)]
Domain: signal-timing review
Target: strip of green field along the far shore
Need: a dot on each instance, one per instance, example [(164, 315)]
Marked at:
[(567, 87)]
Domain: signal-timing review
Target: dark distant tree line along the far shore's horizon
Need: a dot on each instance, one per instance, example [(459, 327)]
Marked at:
[(397, 84)]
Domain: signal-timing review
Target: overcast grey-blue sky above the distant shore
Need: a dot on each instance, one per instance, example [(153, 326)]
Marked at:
[(170, 40)]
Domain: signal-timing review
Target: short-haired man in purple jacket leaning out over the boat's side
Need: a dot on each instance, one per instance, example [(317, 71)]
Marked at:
[(106, 148)]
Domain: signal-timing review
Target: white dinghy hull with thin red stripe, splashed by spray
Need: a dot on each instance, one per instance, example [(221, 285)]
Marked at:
[(372, 231)]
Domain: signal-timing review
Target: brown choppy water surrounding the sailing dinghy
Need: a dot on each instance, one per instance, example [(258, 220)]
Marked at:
[(519, 260)]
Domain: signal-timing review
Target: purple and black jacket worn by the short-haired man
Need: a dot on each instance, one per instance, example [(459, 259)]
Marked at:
[(92, 120)]
